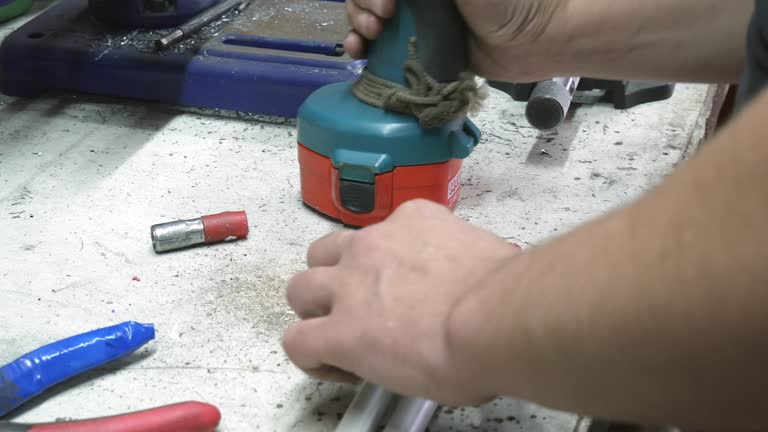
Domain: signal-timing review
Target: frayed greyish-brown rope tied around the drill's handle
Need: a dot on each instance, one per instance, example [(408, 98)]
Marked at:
[(432, 102)]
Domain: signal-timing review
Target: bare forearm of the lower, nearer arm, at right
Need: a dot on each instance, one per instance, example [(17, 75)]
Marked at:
[(656, 313)]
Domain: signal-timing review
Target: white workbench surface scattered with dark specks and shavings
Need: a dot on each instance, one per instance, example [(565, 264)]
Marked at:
[(83, 178)]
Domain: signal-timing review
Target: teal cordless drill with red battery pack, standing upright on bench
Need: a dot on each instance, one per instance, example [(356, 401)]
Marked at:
[(359, 162)]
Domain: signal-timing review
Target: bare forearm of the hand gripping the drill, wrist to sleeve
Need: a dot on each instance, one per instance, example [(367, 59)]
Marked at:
[(677, 40)]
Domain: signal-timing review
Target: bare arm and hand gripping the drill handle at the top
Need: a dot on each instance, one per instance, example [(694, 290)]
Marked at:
[(527, 40)]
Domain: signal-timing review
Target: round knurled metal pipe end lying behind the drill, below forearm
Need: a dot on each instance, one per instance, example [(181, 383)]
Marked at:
[(550, 101)]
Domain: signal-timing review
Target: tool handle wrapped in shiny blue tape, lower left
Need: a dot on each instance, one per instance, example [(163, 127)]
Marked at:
[(35, 372)]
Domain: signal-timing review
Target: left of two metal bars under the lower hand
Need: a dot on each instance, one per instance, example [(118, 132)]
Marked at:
[(366, 410)]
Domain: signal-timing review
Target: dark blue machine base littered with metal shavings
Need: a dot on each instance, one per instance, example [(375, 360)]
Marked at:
[(266, 60)]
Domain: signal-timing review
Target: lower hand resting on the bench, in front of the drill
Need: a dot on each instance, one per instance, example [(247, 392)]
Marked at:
[(375, 303)]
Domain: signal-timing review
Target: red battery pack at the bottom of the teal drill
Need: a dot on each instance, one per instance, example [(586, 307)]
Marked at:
[(321, 188)]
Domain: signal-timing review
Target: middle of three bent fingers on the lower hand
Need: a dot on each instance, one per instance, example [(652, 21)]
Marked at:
[(311, 293)]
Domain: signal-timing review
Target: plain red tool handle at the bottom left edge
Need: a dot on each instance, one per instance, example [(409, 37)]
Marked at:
[(181, 417)]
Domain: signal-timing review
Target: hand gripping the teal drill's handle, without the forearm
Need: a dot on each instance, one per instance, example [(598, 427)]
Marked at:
[(510, 40)]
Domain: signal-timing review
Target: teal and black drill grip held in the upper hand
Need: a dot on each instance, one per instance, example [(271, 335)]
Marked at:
[(441, 41)]
